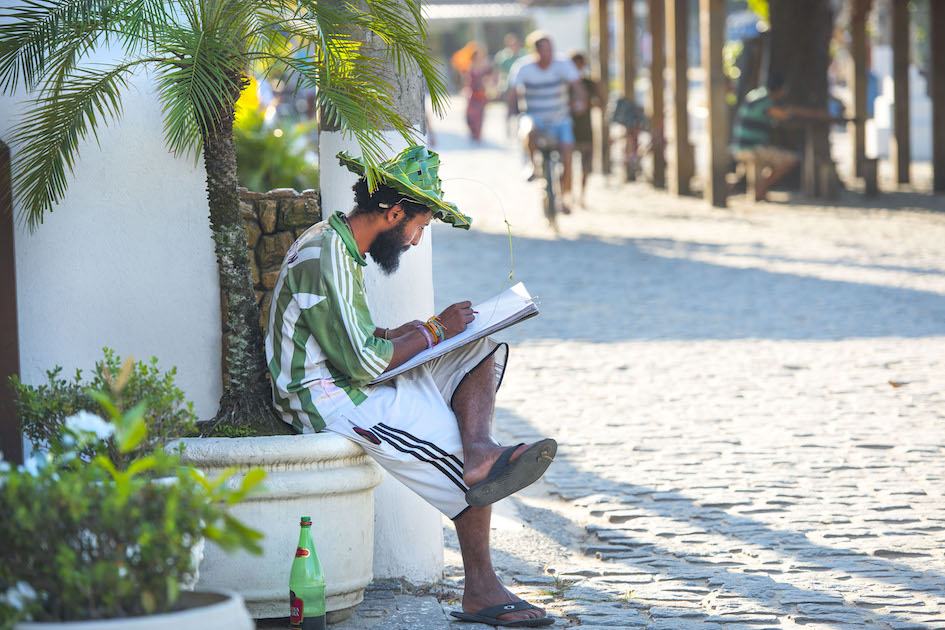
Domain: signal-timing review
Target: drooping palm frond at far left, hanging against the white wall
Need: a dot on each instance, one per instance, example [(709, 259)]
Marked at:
[(48, 136)]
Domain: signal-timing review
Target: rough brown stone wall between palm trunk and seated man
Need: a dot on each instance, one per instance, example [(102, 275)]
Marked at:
[(273, 221)]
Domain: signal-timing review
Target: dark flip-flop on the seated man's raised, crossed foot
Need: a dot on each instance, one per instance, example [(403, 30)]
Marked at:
[(507, 477)]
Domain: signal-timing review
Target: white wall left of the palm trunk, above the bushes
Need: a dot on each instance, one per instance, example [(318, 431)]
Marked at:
[(126, 261)]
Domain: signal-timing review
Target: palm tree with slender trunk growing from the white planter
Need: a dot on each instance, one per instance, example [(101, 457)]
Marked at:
[(199, 53)]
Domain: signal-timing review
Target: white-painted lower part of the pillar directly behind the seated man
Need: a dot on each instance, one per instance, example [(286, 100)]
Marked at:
[(408, 532)]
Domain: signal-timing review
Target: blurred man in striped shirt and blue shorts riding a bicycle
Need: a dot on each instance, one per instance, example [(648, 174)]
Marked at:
[(542, 81)]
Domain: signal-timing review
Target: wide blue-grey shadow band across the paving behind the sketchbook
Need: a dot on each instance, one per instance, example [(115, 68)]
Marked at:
[(611, 289)]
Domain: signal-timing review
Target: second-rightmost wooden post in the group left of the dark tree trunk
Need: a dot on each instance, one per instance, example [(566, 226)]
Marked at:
[(677, 32)]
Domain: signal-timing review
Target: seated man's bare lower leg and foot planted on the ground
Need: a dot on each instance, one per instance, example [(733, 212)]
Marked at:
[(482, 586)]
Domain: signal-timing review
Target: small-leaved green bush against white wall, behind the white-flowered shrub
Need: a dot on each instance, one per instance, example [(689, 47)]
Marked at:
[(42, 410)]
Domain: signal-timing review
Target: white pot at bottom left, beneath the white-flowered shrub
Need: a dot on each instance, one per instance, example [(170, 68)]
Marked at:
[(203, 610)]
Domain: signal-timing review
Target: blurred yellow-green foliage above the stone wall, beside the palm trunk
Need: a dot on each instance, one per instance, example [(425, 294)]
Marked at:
[(268, 158)]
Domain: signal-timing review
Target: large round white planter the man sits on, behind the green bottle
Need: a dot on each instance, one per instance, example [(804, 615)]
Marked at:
[(325, 476)]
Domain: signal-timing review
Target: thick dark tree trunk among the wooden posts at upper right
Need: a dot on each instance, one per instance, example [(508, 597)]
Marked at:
[(800, 51)]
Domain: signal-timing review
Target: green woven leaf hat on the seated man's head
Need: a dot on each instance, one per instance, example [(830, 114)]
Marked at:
[(413, 173)]
